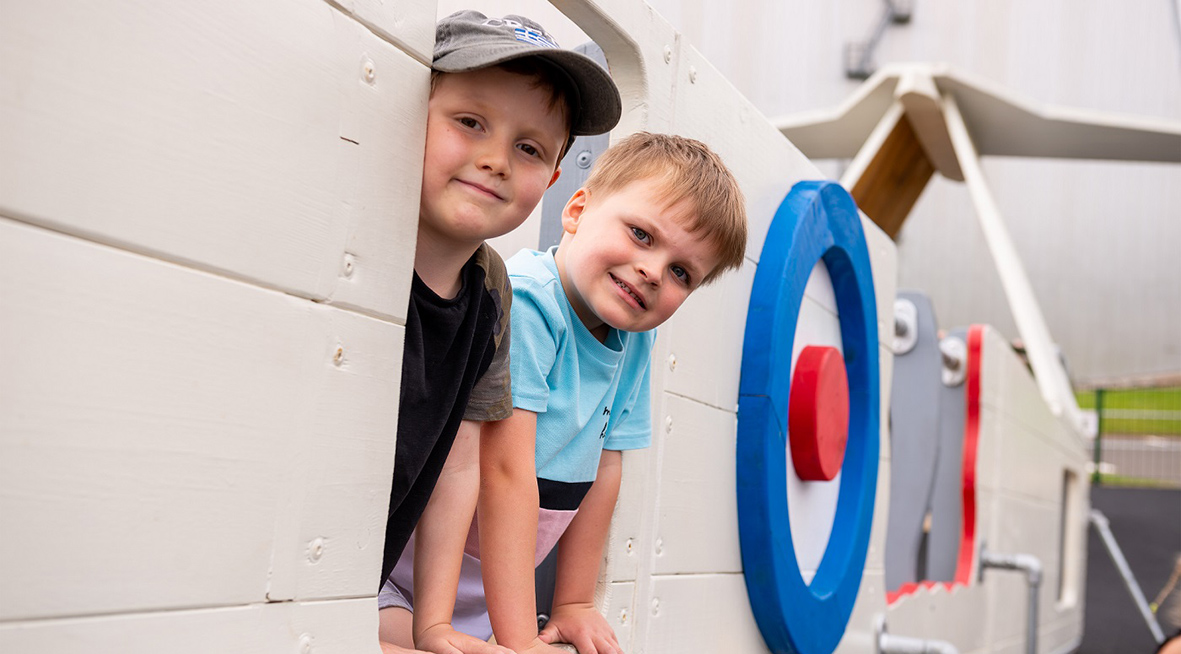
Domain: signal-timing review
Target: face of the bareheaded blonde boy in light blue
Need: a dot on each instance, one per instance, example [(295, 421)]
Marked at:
[(628, 260)]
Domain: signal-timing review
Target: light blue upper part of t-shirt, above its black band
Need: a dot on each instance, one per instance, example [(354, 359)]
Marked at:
[(589, 396)]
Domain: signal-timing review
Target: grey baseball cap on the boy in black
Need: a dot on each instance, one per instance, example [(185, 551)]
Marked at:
[(469, 41)]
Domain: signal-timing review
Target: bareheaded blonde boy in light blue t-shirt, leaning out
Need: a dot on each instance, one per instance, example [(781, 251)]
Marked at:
[(660, 217)]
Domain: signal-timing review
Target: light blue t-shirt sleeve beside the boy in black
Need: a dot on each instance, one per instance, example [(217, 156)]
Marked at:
[(538, 332)]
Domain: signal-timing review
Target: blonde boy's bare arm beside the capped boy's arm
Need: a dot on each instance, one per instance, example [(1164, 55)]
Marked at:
[(508, 529)]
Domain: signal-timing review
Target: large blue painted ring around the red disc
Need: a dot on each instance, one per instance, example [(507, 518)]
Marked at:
[(817, 221)]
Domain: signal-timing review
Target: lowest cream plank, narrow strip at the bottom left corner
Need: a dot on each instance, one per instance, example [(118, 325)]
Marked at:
[(338, 627)]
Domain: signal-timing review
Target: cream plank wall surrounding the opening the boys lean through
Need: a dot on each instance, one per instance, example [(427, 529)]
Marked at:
[(206, 243)]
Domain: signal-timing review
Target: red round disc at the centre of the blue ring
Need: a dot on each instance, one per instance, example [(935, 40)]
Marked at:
[(819, 414)]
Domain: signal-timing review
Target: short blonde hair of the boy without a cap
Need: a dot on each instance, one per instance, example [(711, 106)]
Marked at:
[(689, 172)]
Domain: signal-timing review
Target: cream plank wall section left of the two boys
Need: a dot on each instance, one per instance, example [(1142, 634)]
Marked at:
[(207, 218)]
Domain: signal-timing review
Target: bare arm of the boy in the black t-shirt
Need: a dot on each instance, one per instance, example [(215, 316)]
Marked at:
[(439, 550)]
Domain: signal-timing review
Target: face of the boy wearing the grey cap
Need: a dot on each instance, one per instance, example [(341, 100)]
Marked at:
[(492, 152)]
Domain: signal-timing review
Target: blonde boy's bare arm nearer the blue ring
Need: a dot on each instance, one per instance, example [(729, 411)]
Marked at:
[(575, 619)]
